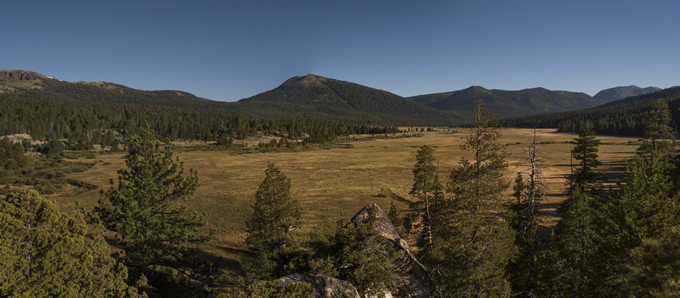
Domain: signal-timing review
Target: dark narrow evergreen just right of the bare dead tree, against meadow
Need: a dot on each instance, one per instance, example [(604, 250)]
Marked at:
[(585, 152)]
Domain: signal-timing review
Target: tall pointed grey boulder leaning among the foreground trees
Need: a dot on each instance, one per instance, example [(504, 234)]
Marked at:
[(413, 278)]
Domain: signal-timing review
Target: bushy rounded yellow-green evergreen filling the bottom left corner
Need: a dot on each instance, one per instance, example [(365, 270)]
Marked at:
[(43, 253)]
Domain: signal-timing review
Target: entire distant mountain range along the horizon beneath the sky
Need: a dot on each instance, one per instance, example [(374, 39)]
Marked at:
[(313, 96)]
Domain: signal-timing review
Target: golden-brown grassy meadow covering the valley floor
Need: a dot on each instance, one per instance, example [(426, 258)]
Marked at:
[(335, 183)]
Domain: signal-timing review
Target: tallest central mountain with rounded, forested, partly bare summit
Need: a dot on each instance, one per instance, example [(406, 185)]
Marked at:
[(344, 101)]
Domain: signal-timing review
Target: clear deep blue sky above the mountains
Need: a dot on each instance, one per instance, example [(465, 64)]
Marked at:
[(228, 50)]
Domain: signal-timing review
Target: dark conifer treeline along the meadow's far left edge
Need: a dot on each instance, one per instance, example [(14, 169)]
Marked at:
[(85, 124)]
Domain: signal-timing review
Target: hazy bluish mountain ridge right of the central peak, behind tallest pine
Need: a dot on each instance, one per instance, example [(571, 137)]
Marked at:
[(509, 103)]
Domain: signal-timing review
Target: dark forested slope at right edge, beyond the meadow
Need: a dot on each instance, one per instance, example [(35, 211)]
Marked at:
[(621, 117)]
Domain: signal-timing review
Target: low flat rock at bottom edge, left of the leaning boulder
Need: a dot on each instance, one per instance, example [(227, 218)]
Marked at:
[(326, 287)]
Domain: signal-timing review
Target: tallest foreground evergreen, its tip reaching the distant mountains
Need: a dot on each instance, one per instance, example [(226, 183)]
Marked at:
[(477, 241)]
